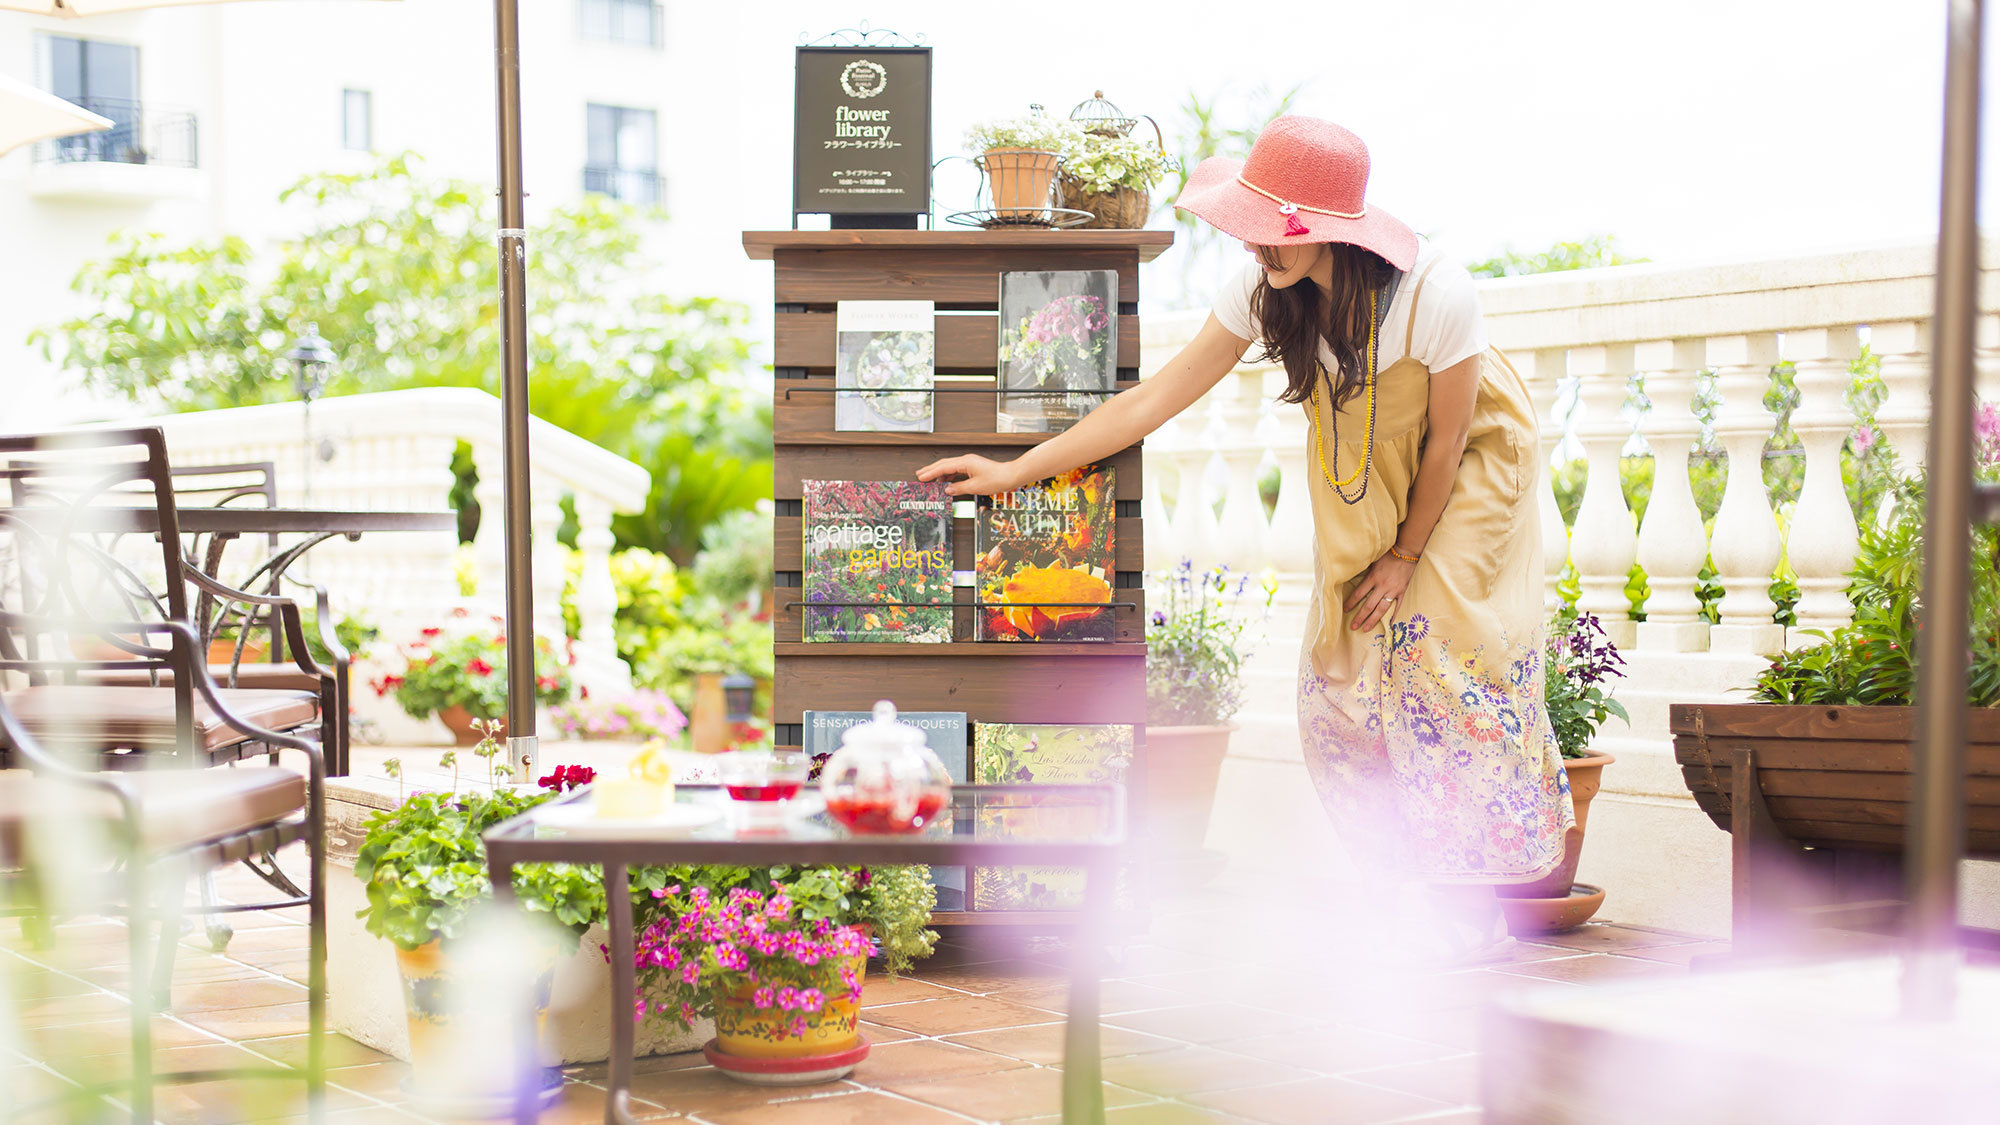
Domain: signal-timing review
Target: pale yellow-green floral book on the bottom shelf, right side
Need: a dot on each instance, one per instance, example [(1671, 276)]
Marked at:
[(1041, 754)]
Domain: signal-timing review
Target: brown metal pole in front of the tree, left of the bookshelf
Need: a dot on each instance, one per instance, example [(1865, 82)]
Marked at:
[(521, 738)]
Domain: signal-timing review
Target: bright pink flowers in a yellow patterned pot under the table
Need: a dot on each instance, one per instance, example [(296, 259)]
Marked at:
[(777, 958)]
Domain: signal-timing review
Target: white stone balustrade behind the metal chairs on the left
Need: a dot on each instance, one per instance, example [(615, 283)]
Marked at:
[(393, 451)]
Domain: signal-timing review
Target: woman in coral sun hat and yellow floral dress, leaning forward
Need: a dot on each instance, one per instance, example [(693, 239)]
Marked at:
[(1421, 680)]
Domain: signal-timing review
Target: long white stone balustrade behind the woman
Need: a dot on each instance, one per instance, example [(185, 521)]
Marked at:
[(1595, 331)]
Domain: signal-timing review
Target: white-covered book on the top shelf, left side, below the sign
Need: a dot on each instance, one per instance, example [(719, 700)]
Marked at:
[(885, 347)]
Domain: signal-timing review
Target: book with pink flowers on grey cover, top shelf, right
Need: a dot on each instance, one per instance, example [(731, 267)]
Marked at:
[(1059, 347)]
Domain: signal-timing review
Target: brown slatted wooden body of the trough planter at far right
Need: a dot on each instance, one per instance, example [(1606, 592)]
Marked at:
[(1831, 776)]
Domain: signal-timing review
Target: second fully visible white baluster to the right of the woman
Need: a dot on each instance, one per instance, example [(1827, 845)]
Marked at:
[(1673, 545)]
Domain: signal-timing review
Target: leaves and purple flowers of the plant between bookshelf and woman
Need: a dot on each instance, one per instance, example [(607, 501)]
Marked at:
[(1195, 648)]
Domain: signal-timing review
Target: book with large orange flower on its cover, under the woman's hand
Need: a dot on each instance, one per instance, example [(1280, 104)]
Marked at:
[(1045, 559)]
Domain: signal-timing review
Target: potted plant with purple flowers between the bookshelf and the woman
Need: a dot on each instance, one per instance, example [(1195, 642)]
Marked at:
[(1195, 688)]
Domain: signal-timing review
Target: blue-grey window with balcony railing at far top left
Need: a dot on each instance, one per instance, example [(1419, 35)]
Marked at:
[(103, 77)]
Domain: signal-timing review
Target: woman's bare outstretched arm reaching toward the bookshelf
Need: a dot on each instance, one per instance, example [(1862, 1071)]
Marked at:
[(1115, 425)]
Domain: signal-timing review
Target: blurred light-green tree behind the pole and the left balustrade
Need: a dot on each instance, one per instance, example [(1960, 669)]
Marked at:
[(399, 273)]
